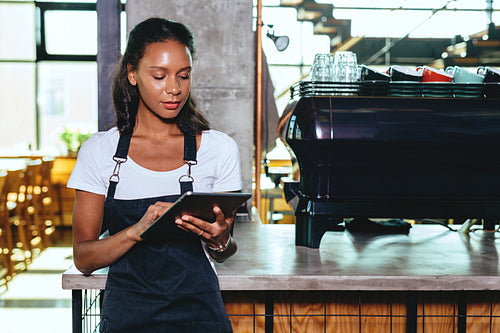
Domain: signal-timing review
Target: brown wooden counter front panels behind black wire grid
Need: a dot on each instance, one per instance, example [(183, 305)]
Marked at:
[(367, 312)]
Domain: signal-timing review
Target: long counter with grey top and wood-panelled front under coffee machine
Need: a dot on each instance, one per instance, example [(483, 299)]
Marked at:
[(430, 263)]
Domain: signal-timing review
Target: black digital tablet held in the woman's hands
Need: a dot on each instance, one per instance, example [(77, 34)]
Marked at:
[(197, 204)]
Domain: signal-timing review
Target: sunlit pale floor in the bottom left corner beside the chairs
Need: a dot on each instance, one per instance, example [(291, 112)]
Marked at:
[(35, 300)]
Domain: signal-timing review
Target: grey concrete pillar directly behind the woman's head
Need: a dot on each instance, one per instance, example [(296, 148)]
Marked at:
[(224, 67)]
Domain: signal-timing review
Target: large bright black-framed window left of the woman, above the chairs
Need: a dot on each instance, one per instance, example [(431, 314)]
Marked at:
[(51, 70)]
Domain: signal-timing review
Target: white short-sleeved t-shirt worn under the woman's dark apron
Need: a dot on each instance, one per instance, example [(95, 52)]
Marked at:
[(218, 168)]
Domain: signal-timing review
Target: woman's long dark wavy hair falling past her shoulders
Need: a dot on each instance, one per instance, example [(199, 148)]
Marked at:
[(126, 96)]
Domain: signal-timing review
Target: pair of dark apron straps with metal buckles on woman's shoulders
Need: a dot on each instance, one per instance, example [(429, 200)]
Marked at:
[(186, 181)]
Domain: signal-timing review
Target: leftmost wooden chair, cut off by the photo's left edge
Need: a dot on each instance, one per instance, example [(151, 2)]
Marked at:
[(6, 265)]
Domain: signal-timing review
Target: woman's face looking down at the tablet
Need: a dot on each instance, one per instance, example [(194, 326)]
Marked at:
[(163, 77)]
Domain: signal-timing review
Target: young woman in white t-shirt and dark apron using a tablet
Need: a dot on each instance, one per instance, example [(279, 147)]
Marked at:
[(128, 176)]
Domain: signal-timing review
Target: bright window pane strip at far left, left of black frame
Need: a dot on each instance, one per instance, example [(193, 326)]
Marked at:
[(17, 74)]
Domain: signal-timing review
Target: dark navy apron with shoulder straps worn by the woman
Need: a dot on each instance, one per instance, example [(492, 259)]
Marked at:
[(158, 286)]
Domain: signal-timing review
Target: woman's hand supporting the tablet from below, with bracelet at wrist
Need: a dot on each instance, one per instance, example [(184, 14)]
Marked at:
[(215, 234)]
